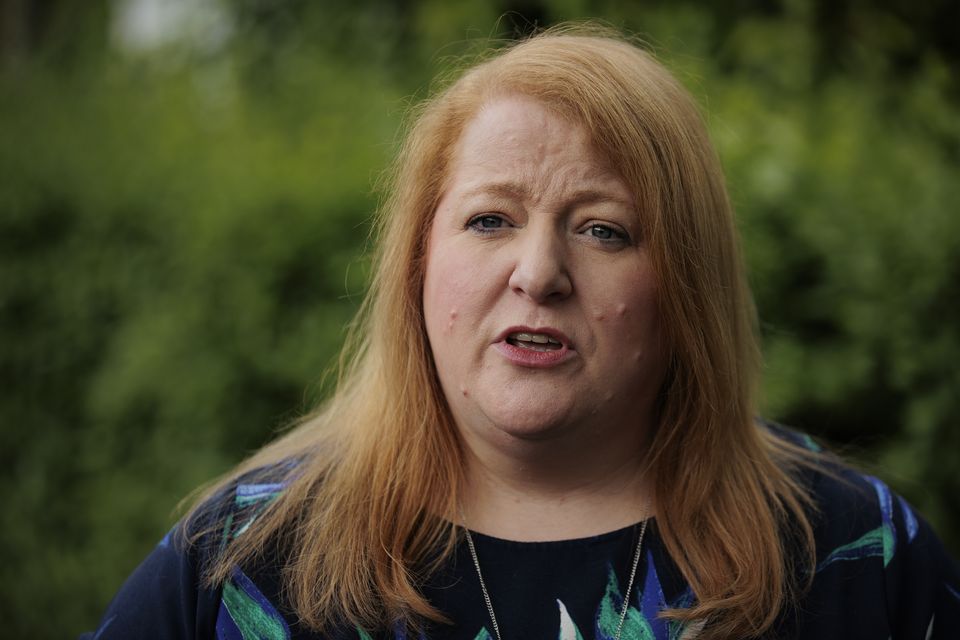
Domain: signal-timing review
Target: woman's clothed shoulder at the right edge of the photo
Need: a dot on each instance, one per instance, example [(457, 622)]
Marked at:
[(879, 565)]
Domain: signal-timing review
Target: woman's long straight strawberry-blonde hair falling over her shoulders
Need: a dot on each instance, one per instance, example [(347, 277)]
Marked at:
[(379, 467)]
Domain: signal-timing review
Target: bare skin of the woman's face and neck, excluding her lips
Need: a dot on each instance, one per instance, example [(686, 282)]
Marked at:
[(535, 230)]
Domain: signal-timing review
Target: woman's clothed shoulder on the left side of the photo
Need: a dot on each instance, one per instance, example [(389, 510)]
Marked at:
[(169, 595)]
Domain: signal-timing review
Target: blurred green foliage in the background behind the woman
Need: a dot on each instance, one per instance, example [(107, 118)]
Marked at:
[(182, 236)]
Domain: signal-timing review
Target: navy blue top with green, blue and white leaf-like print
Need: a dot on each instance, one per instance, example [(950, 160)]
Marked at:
[(881, 574)]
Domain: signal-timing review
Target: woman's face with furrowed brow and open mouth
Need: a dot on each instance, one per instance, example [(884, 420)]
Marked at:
[(539, 297)]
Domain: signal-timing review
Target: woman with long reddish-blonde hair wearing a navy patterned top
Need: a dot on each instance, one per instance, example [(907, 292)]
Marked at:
[(546, 427)]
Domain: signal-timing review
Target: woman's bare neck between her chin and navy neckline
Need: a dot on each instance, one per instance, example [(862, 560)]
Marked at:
[(555, 489)]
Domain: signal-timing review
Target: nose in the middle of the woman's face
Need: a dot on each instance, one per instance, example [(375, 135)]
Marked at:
[(540, 271)]
